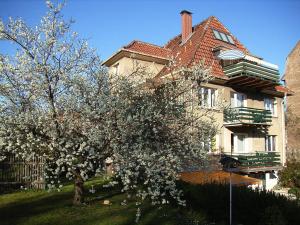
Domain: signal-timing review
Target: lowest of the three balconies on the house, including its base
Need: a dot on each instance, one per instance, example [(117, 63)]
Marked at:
[(256, 162)]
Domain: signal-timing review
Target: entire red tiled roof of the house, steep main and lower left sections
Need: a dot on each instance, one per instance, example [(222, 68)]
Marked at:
[(198, 47)]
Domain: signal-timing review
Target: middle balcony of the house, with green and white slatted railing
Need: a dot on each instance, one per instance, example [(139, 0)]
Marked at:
[(241, 116)]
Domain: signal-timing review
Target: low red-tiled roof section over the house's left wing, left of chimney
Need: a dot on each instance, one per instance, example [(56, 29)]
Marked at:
[(148, 49)]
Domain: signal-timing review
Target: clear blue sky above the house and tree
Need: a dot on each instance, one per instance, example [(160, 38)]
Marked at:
[(269, 29)]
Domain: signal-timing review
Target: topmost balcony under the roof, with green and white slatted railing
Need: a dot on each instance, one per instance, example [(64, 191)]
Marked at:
[(252, 75)]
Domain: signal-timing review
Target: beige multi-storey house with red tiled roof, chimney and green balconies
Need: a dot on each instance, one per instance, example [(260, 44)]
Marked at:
[(252, 126)]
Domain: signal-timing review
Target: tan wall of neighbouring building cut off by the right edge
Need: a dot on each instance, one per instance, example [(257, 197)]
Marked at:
[(292, 80)]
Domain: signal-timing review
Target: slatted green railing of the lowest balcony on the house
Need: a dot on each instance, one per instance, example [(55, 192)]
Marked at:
[(256, 160)]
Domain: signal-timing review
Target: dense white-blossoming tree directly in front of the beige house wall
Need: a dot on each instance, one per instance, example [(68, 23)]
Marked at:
[(159, 129)]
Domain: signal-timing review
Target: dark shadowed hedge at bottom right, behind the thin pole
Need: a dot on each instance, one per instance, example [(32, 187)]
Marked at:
[(249, 207)]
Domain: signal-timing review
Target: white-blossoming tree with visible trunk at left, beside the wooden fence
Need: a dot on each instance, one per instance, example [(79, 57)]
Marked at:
[(53, 99)]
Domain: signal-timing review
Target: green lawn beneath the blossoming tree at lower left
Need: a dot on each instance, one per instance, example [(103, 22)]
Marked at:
[(55, 208)]
